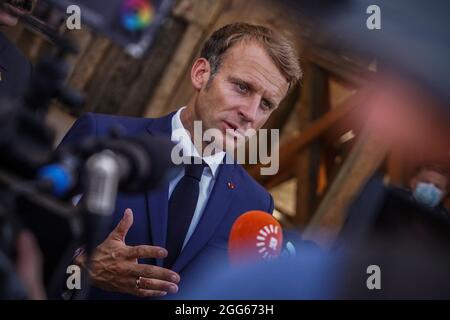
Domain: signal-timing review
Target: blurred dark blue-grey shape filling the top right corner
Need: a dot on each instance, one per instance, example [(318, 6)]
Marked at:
[(413, 39)]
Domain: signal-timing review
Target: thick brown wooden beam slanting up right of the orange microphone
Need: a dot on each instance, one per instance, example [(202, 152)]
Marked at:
[(363, 161)]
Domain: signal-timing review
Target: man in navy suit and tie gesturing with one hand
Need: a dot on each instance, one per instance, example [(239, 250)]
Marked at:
[(243, 73)]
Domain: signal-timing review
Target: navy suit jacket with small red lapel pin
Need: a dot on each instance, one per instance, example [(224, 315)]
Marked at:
[(208, 244)]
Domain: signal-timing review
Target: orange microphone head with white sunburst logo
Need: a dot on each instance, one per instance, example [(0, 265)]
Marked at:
[(255, 236)]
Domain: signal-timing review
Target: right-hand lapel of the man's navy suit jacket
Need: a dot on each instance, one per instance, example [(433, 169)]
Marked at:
[(213, 214)]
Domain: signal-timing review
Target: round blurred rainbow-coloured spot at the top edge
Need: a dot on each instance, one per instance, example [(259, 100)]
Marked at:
[(137, 15)]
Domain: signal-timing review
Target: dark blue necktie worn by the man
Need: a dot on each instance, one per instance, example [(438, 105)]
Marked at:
[(182, 204)]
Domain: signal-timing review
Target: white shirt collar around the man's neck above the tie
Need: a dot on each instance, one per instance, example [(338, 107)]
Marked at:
[(188, 147)]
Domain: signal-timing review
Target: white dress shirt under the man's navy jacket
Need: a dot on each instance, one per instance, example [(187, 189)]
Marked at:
[(209, 175)]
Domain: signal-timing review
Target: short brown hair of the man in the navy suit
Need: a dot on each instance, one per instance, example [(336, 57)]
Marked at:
[(280, 50)]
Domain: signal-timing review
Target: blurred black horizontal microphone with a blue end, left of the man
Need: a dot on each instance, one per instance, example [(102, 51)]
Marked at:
[(143, 163)]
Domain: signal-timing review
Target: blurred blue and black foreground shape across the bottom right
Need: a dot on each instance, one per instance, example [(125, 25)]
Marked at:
[(385, 229)]
